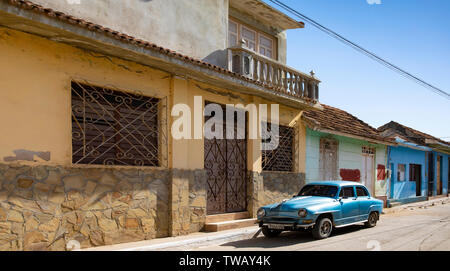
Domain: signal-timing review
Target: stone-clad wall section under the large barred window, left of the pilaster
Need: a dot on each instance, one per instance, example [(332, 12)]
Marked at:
[(44, 208)]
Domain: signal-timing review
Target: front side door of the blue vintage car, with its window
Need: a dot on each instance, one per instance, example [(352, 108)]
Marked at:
[(349, 205)]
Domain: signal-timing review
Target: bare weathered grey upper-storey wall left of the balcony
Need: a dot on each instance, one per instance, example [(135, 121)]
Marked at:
[(197, 28)]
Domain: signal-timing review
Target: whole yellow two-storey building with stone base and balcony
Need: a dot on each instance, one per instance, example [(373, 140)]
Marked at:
[(86, 147)]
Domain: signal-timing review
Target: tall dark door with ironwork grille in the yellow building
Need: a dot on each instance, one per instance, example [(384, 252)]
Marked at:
[(226, 170)]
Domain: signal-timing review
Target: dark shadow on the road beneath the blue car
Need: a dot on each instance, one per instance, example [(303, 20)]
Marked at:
[(287, 239)]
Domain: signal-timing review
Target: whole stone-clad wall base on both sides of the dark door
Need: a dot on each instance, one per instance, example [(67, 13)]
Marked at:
[(51, 207)]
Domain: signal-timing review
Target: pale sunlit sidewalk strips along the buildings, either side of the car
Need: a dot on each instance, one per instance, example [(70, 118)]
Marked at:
[(202, 239)]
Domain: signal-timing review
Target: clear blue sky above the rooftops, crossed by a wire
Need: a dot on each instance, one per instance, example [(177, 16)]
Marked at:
[(412, 34)]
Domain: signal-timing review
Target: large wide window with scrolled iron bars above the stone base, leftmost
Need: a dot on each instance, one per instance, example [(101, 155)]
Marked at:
[(111, 127)]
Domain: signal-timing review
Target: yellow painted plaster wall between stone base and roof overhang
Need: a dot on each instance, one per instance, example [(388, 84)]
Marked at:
[(35, 84)]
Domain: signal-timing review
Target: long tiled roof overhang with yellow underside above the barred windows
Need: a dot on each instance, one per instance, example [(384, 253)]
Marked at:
[(59, 27)]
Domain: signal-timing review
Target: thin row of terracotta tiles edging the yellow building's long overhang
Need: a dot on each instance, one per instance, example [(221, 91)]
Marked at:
[(25, 4)]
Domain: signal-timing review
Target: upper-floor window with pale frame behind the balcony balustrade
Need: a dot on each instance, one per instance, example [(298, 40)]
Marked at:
[(254, 40)]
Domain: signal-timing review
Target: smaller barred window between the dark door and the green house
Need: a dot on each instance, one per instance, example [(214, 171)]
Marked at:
[(282, 158)]
